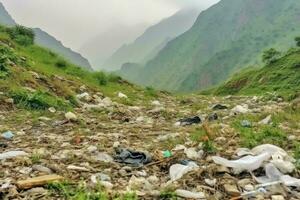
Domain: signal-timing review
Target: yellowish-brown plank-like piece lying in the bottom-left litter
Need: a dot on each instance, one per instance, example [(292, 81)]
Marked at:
[(38, 181)]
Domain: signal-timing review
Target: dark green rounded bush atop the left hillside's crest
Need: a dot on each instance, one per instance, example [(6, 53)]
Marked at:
[(21, 35)]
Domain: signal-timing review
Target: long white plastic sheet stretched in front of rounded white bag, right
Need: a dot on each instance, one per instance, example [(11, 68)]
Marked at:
[(247, 163)]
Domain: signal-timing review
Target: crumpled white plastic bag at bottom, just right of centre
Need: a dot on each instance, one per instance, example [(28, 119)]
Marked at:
[(178, 170)]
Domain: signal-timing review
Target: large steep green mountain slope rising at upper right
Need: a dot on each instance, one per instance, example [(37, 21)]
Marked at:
[(225, 38)]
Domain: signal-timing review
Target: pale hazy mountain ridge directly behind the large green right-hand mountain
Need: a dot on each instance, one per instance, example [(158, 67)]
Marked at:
[(152, 40)]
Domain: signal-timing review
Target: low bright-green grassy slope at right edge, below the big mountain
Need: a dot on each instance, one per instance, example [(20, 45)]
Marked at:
[(281, 76)]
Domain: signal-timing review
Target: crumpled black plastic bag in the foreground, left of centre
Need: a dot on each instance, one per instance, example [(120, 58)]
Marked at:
[(132, 157)]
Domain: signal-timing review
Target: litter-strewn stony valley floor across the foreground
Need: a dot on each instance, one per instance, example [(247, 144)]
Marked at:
[(80, 147)]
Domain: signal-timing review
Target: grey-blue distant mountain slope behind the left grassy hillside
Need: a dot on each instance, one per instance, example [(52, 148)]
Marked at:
[(45, 40)]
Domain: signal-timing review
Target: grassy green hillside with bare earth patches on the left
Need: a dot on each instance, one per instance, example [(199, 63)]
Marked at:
[(37, 78)]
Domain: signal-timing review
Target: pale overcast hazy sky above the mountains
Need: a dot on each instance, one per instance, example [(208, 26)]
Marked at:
[(75, 21)]
